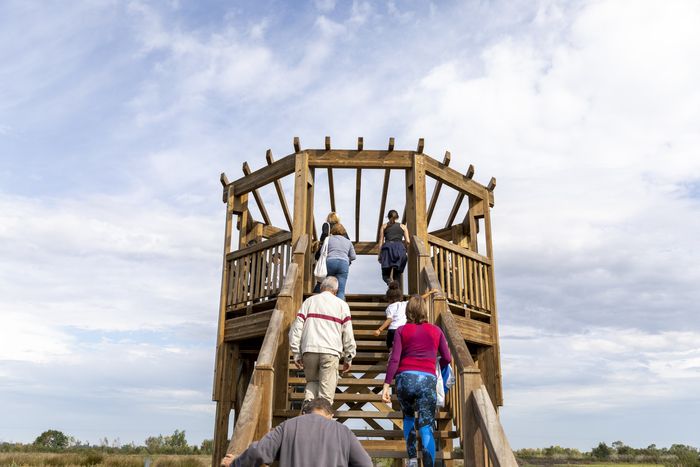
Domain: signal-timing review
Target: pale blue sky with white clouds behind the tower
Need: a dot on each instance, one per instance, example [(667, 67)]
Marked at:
[(117, 117)]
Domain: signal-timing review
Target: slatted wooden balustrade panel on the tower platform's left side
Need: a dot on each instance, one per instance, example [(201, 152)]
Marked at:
[(256, 273)]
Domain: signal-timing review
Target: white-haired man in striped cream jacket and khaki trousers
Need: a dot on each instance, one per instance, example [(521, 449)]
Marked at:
[(319, 337)]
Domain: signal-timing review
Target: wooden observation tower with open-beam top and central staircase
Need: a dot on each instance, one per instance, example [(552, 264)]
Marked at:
[(267, 275)]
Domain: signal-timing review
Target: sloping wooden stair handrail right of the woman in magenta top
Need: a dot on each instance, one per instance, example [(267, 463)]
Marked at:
[(473, 414)]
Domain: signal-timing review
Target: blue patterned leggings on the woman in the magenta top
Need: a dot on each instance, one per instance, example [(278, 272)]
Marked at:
[(416, 393)]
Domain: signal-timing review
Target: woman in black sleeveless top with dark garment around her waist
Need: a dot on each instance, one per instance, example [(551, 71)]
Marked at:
[(393, 243)]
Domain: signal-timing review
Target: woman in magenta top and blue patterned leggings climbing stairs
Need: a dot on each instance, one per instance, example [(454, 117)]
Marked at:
[(412, 361)]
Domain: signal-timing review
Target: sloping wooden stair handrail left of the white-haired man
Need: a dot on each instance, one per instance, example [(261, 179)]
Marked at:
[(255, 417)]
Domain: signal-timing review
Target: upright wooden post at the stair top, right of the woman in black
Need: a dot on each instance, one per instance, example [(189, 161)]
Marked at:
[(415, 217)]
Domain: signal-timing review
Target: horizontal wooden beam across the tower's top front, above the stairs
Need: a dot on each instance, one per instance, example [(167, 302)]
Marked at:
[(365, 159)]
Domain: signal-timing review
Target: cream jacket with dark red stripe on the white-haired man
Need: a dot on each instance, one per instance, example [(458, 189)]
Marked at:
[(323, 325)]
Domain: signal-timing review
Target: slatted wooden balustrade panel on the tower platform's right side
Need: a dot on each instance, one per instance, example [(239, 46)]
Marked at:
[(465, 276)]
